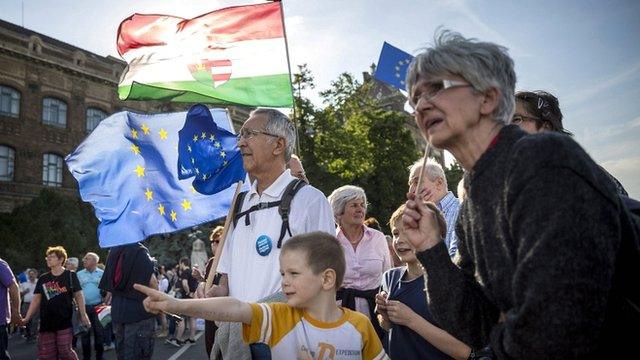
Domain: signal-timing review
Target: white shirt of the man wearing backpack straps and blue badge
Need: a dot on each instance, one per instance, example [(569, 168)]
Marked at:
[(251, 275)]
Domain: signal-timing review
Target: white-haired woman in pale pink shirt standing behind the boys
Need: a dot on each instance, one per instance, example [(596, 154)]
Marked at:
[(366, 252)]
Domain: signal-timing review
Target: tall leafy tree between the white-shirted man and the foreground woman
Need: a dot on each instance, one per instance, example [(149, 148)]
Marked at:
[(353, 140)]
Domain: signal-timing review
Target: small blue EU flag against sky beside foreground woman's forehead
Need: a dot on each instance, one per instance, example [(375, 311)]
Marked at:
[(392, 66)]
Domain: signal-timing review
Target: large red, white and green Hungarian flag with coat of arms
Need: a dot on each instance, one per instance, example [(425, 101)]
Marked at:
[(236, 55)]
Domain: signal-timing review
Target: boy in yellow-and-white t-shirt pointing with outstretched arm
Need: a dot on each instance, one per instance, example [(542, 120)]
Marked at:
[(310, 325)]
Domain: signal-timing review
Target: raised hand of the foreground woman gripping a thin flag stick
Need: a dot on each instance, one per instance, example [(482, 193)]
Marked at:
[(420, 224)]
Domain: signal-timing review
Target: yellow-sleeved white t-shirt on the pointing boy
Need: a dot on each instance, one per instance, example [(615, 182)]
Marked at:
[(290, 331)]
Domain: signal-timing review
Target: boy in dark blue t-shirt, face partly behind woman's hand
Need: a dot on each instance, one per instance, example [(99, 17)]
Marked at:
[(402, 305)]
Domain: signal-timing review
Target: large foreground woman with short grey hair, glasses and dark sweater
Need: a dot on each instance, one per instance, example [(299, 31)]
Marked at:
[(538, 274)]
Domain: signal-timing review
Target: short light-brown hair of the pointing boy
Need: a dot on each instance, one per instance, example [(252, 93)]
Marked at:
[(323, 251)]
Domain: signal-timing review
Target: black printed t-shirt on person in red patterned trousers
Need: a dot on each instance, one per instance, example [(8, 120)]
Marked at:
[(56, 306)]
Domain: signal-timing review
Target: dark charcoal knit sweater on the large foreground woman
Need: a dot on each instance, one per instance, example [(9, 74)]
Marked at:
[(539, 235)]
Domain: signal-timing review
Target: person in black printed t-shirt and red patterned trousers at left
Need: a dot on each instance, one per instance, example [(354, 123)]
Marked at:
[(53, 296)]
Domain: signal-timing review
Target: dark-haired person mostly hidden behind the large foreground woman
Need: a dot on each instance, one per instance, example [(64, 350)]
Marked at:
[(539, 111)]
